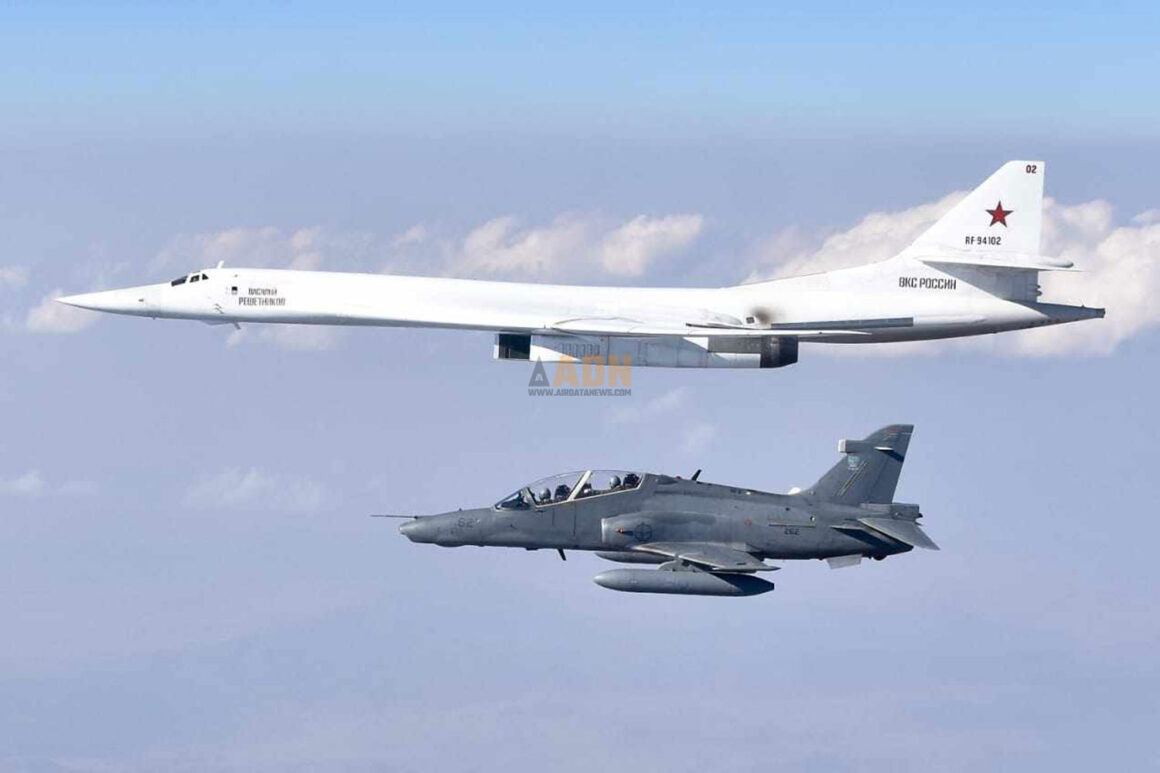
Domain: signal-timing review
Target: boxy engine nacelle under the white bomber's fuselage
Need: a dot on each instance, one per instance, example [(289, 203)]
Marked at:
[(656, 352)]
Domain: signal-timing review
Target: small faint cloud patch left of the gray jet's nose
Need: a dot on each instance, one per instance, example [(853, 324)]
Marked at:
[(237, 489)]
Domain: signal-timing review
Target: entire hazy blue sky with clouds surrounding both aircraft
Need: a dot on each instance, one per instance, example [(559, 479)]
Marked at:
[(192, 579)]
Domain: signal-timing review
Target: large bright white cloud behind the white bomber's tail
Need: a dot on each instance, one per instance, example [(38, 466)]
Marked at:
[(1121, 271)]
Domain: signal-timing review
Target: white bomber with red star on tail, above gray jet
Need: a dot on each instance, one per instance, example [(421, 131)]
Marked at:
[(974, 272)]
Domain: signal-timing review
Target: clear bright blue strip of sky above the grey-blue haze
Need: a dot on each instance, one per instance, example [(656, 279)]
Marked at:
[(1035, 69)]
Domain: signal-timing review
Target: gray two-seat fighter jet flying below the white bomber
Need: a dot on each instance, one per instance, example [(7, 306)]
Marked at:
[(706, 539)]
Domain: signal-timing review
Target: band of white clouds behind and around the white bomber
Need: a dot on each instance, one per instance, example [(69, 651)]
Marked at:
[(1121, 263)]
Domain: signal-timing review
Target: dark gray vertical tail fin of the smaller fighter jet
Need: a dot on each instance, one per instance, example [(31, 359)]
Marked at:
[(869, 472)]
